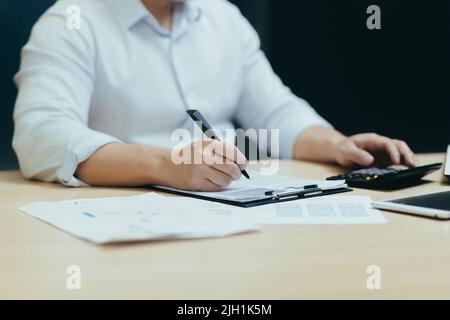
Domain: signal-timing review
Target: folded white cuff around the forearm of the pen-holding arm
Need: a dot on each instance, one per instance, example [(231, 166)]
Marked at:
[(76, 154)]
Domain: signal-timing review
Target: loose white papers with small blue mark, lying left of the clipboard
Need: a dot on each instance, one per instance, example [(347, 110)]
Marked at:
[(137, 218)]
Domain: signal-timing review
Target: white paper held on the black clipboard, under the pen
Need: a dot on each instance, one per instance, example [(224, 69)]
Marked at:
[(255, 188)]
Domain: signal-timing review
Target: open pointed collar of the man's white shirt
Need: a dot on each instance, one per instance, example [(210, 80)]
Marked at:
[(132, 12)]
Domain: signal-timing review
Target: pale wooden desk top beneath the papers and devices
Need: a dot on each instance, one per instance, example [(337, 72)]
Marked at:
[(281, 262)]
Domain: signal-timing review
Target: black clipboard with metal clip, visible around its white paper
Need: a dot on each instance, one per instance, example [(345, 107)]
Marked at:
[(307, 193)]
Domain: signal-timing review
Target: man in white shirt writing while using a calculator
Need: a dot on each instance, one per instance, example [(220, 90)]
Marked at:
[(97, 104)]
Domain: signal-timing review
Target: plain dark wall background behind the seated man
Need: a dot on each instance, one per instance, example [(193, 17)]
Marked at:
[(394, 81)]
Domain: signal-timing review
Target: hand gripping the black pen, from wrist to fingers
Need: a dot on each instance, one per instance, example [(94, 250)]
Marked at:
[(211, 166)]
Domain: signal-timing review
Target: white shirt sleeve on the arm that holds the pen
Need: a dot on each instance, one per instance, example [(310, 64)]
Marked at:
[(55, 82)]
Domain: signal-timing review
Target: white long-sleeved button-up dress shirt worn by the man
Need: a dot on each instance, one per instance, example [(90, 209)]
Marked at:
[(123, 78)]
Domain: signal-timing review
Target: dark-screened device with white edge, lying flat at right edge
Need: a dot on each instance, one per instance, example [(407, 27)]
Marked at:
[(434, 205)]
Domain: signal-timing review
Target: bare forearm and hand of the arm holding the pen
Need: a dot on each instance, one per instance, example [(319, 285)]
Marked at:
[(126, 165)]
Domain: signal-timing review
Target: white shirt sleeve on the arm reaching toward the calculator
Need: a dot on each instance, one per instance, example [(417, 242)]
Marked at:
[(266, 103)]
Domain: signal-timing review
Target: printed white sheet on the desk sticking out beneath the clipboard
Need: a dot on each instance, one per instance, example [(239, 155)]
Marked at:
[(337, 210)]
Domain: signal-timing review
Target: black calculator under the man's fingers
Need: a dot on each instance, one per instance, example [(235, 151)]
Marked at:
[(378, 178)]
